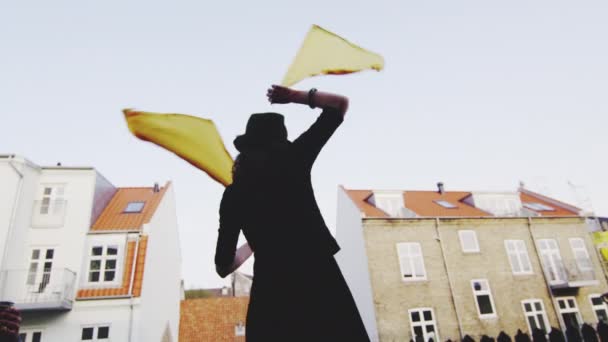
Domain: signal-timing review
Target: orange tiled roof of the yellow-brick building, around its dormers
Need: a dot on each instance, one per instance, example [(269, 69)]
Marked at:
[(424, 204)]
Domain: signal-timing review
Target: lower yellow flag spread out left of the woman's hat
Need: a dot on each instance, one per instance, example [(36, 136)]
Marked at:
[(194, 139)]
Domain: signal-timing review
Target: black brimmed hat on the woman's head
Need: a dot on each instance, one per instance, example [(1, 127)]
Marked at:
[(264, 130)]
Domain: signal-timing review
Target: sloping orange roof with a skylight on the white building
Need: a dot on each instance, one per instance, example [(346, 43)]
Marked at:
[(113, 216)]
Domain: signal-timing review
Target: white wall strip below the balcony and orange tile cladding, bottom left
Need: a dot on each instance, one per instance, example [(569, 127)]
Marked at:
[(67, 326)]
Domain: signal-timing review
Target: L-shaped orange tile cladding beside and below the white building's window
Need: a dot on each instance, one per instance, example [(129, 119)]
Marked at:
[(123, 289)]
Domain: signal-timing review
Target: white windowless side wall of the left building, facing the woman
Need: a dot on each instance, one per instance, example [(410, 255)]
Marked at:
[(161, 288)]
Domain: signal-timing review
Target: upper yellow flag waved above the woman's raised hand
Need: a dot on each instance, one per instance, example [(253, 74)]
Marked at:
[(325, 53)]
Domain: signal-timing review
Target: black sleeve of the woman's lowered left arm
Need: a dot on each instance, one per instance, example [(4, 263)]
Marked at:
[(228, 232)]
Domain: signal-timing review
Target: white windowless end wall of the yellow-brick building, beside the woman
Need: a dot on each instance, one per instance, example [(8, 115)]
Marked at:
[(352, 259)]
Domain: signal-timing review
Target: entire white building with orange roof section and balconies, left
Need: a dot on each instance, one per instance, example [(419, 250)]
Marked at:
[(84, 260)]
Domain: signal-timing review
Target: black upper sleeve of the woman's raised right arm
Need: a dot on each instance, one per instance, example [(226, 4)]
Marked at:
[(309, 144)]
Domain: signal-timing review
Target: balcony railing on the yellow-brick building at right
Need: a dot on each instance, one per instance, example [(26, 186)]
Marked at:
[(571, 274)]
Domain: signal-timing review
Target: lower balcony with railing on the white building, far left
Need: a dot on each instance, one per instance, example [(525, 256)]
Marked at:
[(29, 291)]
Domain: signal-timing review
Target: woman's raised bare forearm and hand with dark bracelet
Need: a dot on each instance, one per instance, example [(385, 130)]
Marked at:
[(313, 98)]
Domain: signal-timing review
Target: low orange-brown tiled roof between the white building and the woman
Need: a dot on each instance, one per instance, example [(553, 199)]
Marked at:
[(212, 319)]
